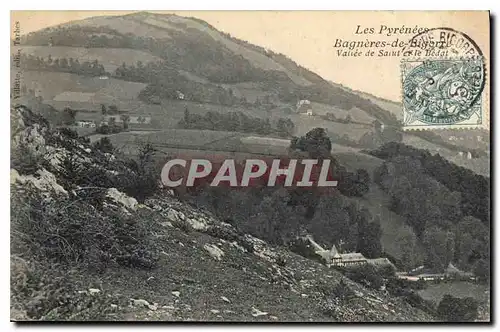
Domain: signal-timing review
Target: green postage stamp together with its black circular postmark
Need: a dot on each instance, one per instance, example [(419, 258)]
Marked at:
[(444, 86)]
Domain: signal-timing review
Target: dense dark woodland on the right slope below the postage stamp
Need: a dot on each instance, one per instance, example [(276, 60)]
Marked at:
[(447, 205)]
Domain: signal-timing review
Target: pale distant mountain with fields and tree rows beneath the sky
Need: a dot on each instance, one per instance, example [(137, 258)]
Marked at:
[(153, 59)]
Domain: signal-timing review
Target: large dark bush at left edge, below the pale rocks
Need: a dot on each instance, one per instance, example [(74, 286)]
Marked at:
[(75, 232)]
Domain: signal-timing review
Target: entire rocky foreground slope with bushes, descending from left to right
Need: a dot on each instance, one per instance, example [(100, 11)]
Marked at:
[(196, 267)]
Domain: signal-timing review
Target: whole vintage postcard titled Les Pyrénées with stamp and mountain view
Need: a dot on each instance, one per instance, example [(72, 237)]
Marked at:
[(244, 166)]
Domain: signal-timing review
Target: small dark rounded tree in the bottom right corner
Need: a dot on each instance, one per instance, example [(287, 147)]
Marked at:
[(455, 309)]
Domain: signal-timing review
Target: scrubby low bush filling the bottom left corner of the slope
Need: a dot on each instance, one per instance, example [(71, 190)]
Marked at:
[(41, 291)]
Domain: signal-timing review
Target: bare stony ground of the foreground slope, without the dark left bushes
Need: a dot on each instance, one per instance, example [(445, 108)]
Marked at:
[(208, 270)]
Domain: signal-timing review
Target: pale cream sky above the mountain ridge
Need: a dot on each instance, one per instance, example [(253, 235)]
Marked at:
[(309, 37)]
